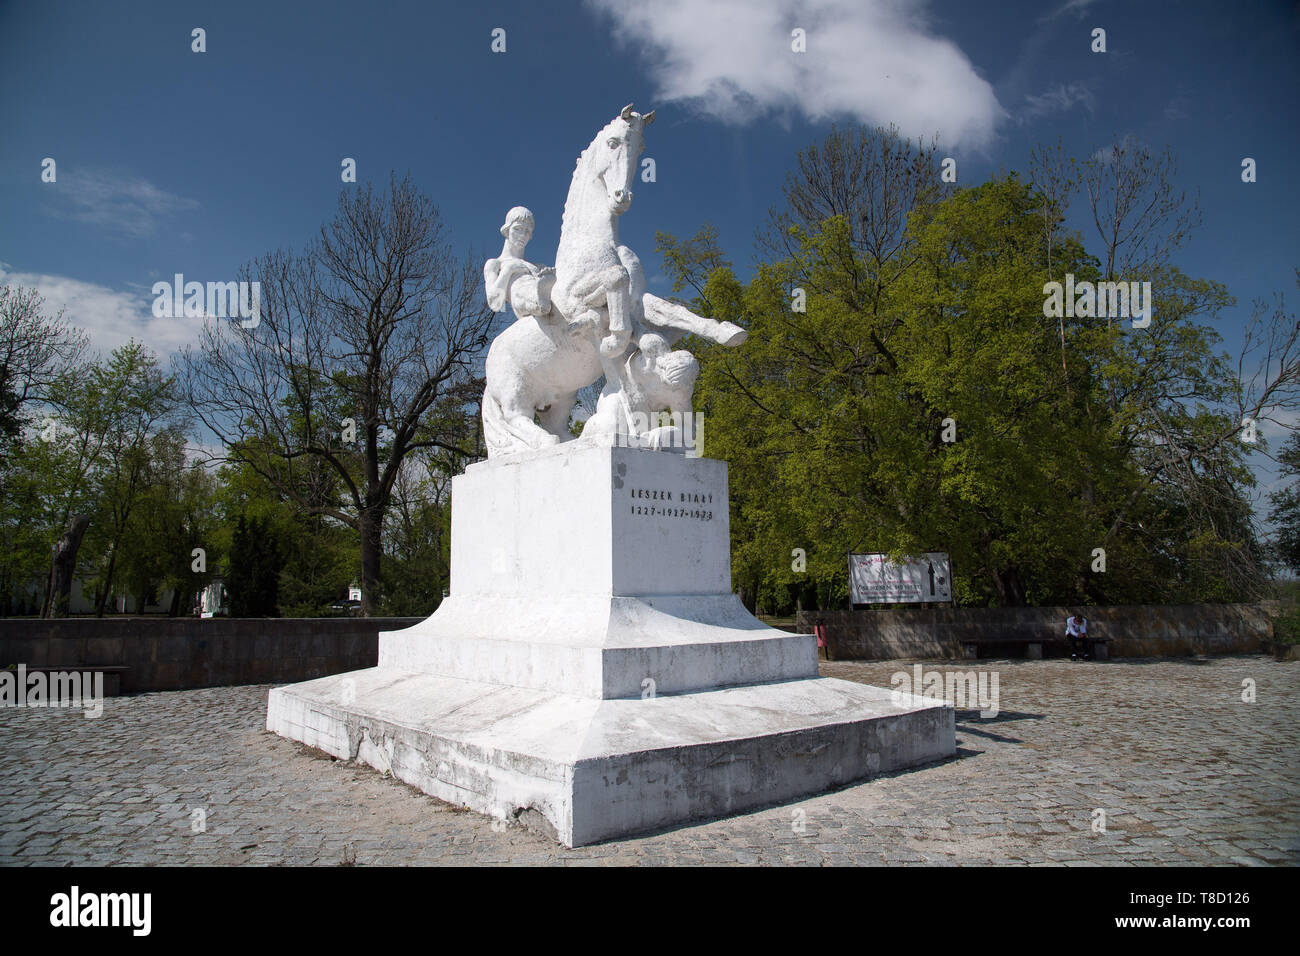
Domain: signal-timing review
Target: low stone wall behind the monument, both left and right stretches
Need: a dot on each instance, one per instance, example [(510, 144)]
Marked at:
[(177, 654)]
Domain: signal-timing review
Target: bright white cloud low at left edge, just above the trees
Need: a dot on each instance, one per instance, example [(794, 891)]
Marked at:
[(111, 318)]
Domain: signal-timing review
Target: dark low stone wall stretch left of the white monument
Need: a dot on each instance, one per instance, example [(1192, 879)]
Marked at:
[(177, 654)]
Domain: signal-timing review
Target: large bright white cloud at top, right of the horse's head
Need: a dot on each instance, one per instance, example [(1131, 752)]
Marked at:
[(870, 60)]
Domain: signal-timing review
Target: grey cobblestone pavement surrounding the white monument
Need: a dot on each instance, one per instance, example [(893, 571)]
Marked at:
[(1185, 772)]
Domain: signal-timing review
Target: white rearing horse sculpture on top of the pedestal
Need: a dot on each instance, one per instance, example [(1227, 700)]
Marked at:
[(600, 306)]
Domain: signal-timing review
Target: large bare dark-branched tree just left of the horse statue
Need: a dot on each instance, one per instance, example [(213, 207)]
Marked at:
[(367, 331)]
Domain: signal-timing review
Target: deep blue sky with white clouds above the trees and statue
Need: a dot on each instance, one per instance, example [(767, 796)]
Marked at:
[(177, 162)]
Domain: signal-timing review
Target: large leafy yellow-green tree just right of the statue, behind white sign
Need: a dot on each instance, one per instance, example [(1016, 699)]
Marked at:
[(844, 408)]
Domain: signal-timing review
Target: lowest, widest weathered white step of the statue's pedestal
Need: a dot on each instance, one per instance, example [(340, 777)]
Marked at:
[(599, 769)]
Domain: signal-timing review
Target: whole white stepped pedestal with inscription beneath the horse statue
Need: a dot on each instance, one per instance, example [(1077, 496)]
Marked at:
[(593, 668)]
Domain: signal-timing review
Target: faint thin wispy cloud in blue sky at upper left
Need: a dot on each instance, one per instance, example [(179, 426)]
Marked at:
[(123, 205)]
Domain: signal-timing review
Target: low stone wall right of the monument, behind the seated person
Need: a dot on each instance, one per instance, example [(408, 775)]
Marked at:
[(1133, 631)]
